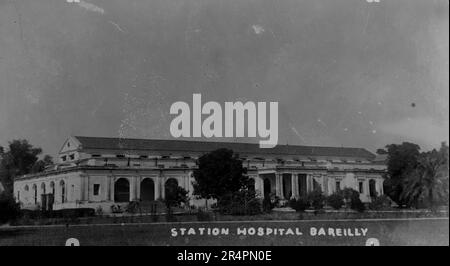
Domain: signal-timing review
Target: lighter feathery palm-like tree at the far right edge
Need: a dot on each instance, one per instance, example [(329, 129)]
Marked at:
[(427, 185)]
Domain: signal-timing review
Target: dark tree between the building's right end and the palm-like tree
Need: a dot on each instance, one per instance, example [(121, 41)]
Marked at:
[(402, 159)]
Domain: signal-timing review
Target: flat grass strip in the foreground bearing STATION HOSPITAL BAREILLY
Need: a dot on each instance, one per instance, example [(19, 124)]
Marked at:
[(416, 231)]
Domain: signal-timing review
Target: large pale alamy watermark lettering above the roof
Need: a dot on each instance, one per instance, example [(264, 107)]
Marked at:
[(224, 123)]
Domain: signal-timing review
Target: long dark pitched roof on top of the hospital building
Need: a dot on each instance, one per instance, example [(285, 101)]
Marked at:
[(127, 144)]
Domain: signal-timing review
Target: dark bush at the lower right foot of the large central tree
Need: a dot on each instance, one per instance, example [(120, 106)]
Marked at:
[(243, 202)]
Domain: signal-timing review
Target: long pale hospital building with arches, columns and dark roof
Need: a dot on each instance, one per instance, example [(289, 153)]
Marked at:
[(94, 172)]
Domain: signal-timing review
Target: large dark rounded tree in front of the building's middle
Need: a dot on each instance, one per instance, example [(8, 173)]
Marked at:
[(219, 172)]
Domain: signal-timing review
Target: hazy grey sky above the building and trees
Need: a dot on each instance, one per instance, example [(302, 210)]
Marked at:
[(353, 73)]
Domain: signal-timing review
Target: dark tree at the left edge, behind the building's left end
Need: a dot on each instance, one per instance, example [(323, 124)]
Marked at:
[(20, 159)]
